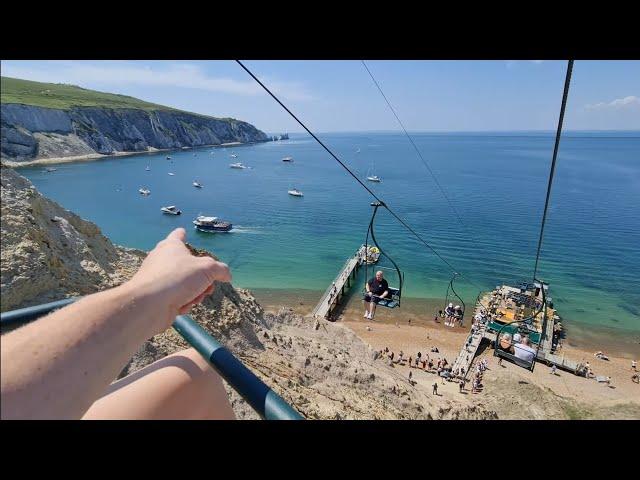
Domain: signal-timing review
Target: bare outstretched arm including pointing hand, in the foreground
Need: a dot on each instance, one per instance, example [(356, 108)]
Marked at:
[(58, 366)]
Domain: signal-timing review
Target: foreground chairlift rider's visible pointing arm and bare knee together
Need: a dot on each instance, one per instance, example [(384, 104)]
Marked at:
[(63, 365)]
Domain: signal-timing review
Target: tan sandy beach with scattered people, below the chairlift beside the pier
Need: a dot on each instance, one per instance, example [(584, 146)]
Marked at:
[(513, 392)]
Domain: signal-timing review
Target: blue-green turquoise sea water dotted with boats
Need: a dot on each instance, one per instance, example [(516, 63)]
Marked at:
[(497, 182)]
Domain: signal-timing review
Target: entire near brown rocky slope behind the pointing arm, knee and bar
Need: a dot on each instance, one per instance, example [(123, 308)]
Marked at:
[(323, 370)]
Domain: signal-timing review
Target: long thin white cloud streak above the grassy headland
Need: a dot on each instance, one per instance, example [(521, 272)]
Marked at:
[(173, 74)]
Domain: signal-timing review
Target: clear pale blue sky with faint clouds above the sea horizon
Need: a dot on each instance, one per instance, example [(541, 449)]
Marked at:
[(337, 96)]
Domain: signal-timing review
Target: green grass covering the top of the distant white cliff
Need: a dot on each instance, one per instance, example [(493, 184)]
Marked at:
[(64, 97)]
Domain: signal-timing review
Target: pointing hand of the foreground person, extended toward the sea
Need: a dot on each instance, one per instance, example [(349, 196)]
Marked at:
[(172, 277)]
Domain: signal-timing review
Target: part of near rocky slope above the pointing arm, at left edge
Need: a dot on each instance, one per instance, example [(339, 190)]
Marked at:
[(49, 253)]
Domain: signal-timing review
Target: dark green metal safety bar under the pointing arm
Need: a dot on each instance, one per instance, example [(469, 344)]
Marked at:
[(256, 393)]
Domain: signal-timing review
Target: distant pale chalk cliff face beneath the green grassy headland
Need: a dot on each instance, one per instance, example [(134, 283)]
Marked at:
[(30, 132)]
